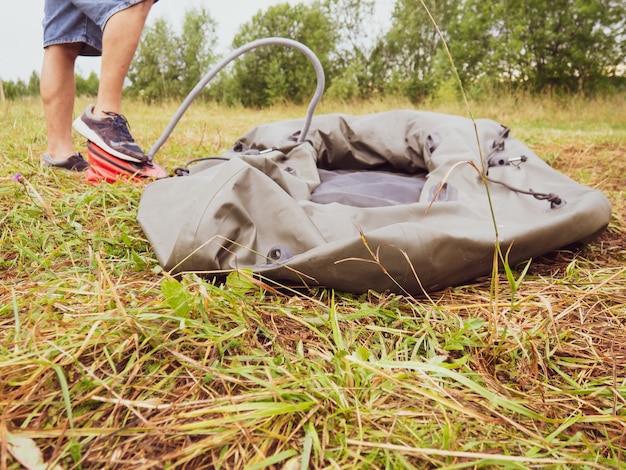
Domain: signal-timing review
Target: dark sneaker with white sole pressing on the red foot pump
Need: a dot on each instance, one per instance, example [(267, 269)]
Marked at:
[(110, 134)]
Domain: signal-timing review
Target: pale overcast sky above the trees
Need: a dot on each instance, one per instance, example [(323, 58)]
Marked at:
[(21, 33)]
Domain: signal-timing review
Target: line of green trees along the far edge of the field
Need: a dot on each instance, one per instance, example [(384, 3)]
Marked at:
[(427, 48)]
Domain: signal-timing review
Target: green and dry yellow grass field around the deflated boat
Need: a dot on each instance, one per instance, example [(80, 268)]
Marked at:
[(107, 362)]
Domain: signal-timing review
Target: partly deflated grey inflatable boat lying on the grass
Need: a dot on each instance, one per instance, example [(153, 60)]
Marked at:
[(392, 201)]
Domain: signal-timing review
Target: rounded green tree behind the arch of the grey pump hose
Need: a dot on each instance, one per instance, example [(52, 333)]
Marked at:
[(276, 73)]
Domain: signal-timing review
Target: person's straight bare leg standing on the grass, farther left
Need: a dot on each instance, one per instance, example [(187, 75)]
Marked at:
[(58, 89)]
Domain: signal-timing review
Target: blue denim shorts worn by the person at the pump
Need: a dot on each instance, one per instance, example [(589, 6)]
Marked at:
[(71, 21)]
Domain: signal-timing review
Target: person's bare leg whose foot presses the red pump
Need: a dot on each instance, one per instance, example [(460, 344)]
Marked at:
[(119, 42)]
